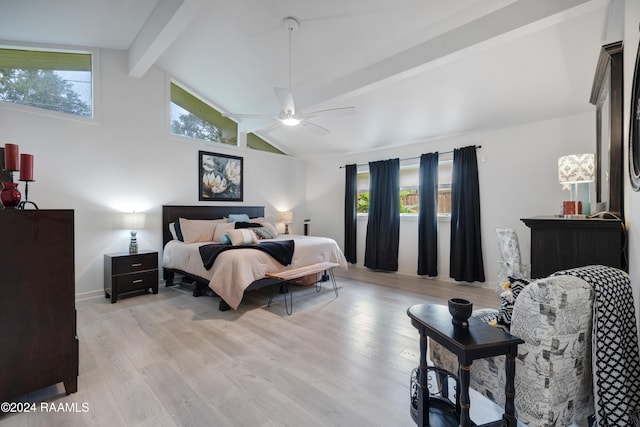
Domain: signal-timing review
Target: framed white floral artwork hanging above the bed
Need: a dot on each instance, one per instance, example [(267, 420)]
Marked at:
[(219, 177)]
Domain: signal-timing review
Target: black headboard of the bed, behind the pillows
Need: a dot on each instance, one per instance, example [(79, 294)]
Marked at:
[(171, 213)]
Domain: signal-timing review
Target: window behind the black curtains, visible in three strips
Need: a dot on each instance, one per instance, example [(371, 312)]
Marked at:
[(409, 189)]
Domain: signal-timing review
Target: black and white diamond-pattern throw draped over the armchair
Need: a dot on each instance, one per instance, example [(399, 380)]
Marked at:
[(616, 361)]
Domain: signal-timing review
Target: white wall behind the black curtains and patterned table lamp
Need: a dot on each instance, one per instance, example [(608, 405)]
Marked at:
[(518, 175)]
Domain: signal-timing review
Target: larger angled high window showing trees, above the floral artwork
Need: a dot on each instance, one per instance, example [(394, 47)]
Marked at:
[(194, 118)]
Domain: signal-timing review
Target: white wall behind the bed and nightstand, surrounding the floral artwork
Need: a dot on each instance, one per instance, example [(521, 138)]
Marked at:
[(126, 160)]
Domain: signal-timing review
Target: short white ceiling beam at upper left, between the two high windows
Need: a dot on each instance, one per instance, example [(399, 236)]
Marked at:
[(165, 24)]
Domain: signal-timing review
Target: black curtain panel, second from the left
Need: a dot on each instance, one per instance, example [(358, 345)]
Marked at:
[(383, 227)]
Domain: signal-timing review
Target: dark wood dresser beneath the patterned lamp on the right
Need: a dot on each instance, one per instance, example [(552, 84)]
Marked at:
[(560, 243)]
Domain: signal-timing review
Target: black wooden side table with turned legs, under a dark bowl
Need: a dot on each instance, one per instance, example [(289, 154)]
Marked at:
[(477, 341)]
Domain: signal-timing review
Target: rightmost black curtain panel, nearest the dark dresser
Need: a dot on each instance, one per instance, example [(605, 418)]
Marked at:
[(465, 263)]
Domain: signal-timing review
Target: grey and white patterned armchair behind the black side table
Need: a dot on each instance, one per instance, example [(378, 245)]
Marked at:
[(553, 369)]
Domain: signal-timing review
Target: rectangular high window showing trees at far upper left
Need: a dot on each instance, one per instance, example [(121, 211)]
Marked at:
[(52, 80)]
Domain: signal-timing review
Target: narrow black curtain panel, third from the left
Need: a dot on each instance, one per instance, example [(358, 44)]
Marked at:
[(428, 216)]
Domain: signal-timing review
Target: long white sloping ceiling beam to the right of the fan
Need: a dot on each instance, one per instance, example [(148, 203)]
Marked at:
[(445, 47)]
